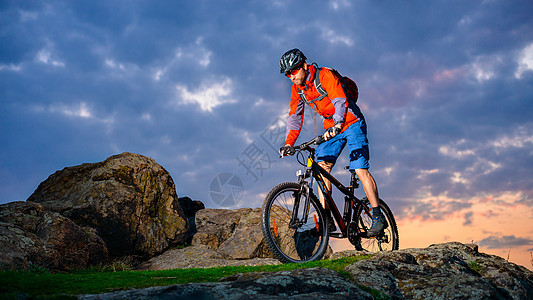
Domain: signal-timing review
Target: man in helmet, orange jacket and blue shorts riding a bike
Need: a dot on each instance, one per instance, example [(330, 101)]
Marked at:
[(344, 124)]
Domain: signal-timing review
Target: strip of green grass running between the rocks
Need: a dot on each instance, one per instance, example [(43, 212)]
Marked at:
[(40, 282)]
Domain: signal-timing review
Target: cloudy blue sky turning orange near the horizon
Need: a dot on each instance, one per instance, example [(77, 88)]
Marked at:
[(446, 88)]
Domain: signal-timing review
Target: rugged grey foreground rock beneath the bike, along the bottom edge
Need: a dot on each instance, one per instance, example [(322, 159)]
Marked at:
[(443, 271)]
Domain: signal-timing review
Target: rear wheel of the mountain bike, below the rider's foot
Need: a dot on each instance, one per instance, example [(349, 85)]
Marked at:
[(389, 239)]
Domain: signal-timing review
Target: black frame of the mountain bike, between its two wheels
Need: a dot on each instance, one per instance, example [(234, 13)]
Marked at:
[(315, 171)]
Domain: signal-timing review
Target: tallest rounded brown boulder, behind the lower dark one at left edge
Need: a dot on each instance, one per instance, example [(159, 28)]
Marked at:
[(129, 200)]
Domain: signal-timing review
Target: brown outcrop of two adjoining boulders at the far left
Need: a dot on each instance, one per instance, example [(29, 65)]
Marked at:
[(80, 216)]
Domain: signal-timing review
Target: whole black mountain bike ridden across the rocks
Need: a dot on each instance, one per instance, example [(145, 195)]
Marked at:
[(294, 223)]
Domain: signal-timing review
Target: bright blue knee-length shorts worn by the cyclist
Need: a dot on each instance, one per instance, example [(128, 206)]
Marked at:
[(355, 136)]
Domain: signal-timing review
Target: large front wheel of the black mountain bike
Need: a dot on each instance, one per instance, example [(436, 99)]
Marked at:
[(297, 239)]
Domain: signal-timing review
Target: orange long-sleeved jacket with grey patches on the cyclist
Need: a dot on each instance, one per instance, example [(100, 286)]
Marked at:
[(334, 108)]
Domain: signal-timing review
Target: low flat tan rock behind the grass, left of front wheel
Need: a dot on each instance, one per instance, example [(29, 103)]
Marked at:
[(199, 257)]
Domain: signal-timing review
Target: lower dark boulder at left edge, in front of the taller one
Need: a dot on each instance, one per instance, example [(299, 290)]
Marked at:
[(31, 236)]
